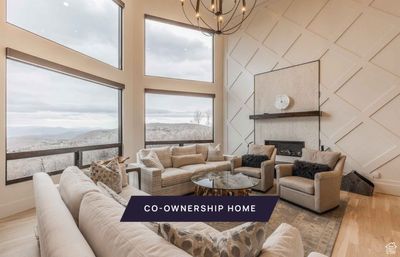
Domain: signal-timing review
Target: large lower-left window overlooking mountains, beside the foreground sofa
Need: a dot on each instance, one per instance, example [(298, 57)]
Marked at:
[(56, 120)]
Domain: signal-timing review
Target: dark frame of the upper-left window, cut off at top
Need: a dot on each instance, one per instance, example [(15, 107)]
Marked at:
[(120, 66)]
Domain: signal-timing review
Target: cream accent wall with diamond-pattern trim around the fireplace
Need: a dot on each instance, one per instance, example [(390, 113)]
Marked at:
[(358, 42)]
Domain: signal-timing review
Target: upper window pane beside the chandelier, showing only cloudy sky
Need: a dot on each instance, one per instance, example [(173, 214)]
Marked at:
[(178, 51)]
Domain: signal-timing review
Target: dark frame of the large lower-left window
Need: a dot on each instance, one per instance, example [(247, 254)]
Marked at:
[(28, 59)]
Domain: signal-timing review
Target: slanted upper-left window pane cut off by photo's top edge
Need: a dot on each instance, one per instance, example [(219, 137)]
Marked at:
[(92, 27)]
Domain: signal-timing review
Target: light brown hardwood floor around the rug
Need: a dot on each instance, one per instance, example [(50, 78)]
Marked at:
[(369, 224)]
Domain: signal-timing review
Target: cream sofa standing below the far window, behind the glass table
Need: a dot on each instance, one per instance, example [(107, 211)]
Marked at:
[(177, 181)]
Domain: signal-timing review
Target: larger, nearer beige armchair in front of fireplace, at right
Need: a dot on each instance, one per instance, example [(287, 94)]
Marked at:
[(319, 194)]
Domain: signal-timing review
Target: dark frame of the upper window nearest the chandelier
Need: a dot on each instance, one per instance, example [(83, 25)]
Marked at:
[(184, 25)]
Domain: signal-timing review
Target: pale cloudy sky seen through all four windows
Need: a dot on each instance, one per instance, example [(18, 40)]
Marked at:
[(40, 98)]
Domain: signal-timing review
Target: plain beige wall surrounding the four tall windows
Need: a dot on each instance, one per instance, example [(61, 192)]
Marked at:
[(19, 197)]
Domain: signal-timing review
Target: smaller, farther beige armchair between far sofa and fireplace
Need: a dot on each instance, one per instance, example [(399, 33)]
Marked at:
[(265, 173)]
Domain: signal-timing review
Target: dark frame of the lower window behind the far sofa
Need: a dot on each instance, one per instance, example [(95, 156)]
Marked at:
[(179, 93)]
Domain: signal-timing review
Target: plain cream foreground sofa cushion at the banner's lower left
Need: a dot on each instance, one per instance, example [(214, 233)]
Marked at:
[(107, 236)]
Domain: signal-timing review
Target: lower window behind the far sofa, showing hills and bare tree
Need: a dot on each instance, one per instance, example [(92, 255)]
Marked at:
[(178, 118)]
